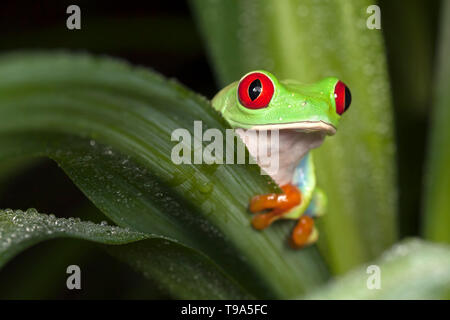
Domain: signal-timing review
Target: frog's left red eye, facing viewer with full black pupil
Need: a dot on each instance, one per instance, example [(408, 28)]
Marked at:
[(255, 90)]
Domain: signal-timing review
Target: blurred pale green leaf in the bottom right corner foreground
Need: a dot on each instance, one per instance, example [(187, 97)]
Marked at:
[(412, 269)]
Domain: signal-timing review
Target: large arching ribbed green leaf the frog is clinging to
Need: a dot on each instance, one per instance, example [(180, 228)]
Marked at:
[(109, 127)]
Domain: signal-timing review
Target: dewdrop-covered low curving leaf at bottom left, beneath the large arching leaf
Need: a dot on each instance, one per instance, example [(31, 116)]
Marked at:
[(178, 269)]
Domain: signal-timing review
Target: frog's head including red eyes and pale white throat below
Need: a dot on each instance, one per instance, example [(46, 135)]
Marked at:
[(302, 114)]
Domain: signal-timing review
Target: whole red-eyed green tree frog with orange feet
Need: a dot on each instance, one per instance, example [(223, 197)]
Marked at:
[(303, 114)]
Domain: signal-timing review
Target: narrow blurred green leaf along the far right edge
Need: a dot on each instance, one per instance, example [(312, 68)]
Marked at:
[(437, 203)]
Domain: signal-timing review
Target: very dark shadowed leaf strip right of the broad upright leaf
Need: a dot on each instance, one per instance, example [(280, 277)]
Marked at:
[(410, 37)]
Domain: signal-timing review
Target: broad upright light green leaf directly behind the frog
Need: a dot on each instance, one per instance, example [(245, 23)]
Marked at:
[(308, 40)]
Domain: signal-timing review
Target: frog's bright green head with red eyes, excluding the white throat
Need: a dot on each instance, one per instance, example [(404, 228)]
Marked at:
[(260, 102)]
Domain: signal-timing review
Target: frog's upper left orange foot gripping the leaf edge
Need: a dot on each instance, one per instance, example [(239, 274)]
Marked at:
[(277, 203)]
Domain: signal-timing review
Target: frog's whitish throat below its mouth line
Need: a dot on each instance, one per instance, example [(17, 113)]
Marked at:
[(292, 146)]
